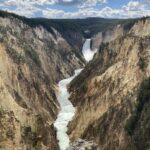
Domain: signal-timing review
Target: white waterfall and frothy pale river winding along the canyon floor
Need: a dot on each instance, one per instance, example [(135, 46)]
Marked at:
[(67, 110)]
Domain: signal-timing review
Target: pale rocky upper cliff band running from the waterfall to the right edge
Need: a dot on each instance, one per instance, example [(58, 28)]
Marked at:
[(127, 26)]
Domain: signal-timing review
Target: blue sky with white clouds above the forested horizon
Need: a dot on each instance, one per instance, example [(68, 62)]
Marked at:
[(78, 8)]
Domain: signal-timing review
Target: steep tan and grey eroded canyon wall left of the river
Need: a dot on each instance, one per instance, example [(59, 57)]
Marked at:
[(32, 61)]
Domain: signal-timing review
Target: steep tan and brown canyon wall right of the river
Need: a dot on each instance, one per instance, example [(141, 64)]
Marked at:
[(107, 93)]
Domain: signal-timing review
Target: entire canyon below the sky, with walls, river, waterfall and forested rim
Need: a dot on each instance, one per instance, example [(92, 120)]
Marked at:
[(107, 101)]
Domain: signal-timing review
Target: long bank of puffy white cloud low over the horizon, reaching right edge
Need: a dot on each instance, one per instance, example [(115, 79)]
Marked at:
[(131, 10)]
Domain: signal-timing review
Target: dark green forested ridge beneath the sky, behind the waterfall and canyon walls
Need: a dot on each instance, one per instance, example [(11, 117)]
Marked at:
[(95, 24)]
